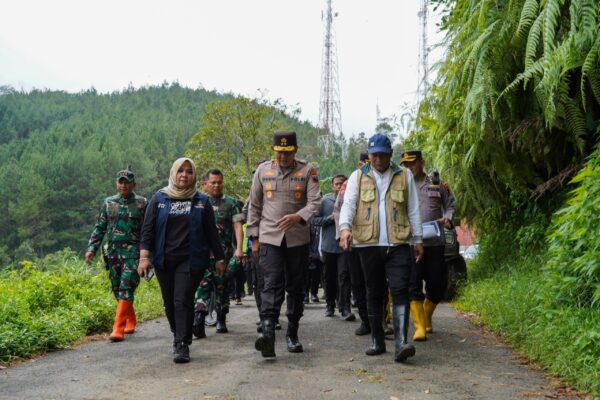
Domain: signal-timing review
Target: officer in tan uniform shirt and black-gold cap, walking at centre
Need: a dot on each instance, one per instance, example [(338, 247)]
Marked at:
[(284, 196)]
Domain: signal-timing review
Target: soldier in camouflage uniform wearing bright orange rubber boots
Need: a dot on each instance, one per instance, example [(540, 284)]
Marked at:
[(121, 217)]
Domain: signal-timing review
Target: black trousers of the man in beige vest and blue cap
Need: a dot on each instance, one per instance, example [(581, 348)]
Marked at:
[(379, 263)]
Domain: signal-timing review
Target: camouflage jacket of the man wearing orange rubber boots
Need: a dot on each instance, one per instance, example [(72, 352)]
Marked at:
[(121, 220)]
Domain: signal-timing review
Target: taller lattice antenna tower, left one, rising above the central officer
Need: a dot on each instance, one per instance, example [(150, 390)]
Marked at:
[(330, 114)]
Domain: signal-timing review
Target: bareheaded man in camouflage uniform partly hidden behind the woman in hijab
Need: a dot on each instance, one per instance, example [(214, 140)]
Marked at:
[(229, 220)]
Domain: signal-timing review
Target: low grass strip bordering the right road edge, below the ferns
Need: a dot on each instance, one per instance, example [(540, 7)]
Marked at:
[(517, 304)]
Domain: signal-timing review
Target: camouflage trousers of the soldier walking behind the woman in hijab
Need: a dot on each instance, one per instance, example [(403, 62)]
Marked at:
[(213, 282)]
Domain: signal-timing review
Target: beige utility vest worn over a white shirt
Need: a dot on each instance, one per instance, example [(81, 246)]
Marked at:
[(365, 226)]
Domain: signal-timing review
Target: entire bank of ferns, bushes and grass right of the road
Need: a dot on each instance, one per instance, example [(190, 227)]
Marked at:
[(513, 122)]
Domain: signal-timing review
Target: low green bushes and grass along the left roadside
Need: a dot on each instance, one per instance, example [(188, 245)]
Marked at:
[(55, 301)]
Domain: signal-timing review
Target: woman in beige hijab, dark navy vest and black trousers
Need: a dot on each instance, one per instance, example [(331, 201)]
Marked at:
[(179, 236)]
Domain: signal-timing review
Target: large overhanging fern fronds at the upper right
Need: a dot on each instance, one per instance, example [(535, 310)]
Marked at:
[(515, 108)]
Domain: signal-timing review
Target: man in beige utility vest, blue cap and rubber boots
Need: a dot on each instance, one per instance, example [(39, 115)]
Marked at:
[(379, 217)]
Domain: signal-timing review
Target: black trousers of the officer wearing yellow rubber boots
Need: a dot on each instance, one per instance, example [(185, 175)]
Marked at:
[(433, 271)]
